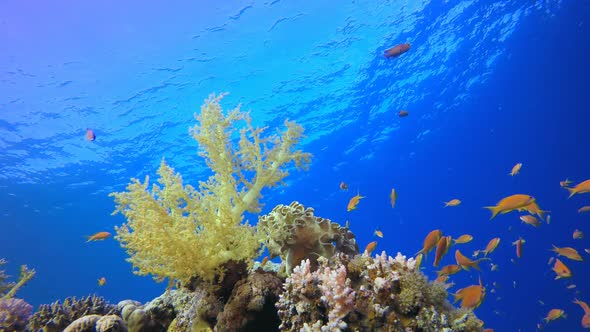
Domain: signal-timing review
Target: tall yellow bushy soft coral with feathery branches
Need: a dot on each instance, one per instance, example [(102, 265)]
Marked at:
[(177, 232)]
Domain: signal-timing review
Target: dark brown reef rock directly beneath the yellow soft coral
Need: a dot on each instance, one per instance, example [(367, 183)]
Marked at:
[(250, 307)]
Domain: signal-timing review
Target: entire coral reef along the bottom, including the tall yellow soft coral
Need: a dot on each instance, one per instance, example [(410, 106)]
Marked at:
[(199, 241)]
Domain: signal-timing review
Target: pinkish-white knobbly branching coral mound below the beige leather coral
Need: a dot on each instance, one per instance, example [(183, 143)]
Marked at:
[(365, 293)]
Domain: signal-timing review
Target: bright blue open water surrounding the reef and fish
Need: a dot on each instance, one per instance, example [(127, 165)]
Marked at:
[(487, 84)]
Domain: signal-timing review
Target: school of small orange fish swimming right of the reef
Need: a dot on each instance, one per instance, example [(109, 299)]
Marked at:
[(472, 296)]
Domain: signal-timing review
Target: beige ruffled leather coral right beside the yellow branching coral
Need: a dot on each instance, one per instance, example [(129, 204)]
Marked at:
[(294, 233)]
